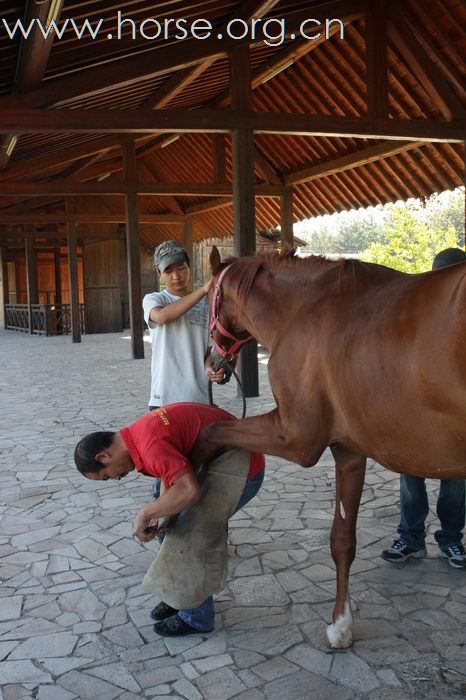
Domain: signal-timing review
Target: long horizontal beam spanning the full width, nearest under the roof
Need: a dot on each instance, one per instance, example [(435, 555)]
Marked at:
[(211, 121)]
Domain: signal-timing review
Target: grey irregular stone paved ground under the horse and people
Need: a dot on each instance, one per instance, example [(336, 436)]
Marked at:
[(74, 621)]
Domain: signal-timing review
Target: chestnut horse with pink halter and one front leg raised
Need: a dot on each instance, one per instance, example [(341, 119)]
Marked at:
[(364, 359)]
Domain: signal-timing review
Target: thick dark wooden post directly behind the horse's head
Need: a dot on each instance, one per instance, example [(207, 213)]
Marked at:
[(244, 214)]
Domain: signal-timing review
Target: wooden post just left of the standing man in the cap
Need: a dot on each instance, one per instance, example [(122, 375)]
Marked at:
[(132, 251)]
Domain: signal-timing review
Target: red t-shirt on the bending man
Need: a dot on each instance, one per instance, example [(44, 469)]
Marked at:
[(159, 443)]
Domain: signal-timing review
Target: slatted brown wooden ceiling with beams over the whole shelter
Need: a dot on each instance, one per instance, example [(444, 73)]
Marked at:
[(372, 117)]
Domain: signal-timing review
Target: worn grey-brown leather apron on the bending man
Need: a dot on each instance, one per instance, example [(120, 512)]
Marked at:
[(192, 561)]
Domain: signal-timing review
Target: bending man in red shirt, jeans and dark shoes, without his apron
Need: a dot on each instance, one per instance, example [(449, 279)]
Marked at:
[(159, 445)]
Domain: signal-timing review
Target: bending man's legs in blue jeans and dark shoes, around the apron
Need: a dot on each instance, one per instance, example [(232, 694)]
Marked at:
[(202, 618)]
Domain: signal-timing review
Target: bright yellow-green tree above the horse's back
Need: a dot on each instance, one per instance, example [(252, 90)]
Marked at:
[(409, 244)]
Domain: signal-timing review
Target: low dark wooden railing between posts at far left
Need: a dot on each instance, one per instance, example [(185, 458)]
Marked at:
[(47, 319)]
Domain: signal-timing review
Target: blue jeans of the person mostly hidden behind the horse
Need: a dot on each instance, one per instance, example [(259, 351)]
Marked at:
[(414, 507)]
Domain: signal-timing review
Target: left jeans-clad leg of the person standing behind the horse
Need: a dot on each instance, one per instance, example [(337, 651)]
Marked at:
[(414, 509)]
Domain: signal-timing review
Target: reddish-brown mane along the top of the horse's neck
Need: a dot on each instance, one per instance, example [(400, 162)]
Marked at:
[(243, 271)]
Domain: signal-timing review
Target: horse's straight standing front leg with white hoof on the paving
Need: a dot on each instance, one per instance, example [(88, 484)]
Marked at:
[(350, 472)]
